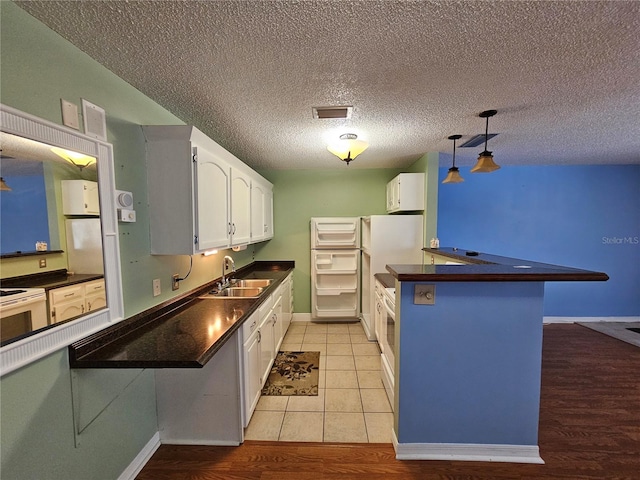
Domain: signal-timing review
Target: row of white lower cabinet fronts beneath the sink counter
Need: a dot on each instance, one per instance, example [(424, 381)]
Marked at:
[(262, 336)]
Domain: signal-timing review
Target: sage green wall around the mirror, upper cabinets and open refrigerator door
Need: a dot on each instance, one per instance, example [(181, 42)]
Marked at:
[(36, 414)]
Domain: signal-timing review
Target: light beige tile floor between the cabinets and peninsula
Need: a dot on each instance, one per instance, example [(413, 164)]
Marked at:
[(351, 405)]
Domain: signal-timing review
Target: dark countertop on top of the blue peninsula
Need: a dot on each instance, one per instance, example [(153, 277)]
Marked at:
[(485, 267)]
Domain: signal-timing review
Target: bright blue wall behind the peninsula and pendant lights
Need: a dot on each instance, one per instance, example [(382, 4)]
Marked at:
[(578, 216)]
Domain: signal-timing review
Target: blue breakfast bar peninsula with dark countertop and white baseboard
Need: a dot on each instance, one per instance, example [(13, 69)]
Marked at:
[(468, 337)]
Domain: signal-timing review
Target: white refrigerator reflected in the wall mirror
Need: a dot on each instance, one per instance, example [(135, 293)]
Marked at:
[(84, 245)]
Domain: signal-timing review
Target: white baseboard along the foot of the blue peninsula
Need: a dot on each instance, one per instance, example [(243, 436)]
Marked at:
[(469, 452)]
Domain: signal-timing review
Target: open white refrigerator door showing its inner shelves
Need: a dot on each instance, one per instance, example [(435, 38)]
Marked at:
[(335, 268)]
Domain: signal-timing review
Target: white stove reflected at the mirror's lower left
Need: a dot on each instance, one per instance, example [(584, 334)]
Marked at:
[(22, 310)]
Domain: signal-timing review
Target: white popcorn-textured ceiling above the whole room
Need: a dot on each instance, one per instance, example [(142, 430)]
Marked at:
[(563, 75)]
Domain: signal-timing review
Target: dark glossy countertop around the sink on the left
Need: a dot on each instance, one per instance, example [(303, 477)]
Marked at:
[(182, 333)]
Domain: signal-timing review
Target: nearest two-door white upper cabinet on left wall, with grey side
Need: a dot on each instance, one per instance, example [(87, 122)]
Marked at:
[(199, 194)]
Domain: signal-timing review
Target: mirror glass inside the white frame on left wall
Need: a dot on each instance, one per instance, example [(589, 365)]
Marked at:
[(51, 258)]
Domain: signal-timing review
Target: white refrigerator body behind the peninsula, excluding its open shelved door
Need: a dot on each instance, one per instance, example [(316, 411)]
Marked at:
[(386, 240)]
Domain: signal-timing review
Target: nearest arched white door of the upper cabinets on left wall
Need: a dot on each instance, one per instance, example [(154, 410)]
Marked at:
[(213, 181)]
